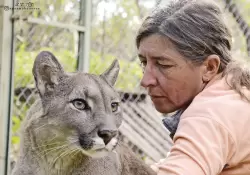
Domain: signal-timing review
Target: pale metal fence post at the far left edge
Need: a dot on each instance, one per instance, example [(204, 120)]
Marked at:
[(6, 74)]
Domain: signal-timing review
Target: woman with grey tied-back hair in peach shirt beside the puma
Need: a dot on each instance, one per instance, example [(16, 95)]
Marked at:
[(184, 49)]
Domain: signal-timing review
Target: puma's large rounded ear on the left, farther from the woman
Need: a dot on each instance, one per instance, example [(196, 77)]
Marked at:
[(46, 71)]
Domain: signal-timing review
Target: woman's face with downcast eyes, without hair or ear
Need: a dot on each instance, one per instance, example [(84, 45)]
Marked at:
[(171, 81)]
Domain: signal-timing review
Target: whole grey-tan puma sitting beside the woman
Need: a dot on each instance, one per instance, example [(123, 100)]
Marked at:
[(61, 136)]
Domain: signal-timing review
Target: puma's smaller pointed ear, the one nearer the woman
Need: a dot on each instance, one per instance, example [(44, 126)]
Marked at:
[(112, 72)]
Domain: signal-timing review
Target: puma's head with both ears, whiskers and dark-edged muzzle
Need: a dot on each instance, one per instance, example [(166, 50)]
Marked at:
[(80, 111)]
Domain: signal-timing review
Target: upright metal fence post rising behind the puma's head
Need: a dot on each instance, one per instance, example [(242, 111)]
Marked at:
[(84, 37)]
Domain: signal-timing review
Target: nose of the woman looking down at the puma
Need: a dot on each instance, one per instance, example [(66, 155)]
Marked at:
[(148, 79)]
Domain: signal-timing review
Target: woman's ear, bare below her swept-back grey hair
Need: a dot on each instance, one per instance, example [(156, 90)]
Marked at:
[(211, 67)]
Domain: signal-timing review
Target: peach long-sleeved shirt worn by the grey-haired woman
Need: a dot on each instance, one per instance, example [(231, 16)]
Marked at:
[(213, 135)]
